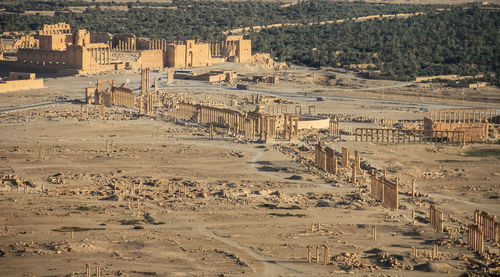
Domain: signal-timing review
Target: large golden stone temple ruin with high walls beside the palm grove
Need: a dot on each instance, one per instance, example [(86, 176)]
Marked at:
[(58, 47)]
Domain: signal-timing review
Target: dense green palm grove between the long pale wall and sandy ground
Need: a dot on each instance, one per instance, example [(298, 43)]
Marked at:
[(456, 41)]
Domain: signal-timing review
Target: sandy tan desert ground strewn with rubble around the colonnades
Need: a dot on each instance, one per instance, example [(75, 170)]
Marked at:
[(248, 207)]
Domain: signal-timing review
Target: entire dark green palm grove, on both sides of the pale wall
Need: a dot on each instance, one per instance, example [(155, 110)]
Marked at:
[(461, 40)]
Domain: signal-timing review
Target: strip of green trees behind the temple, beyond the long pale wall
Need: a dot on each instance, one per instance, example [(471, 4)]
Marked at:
[(203, 20)]
